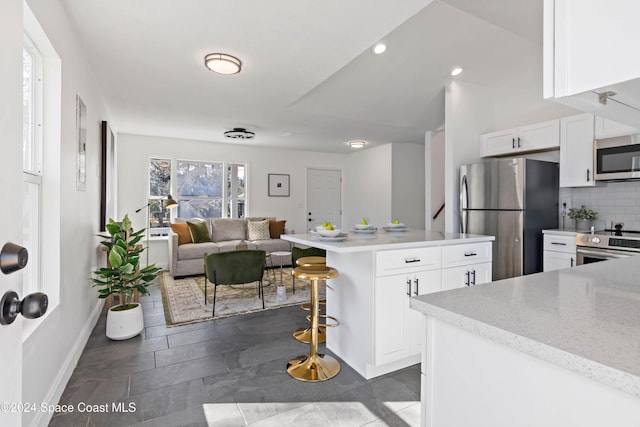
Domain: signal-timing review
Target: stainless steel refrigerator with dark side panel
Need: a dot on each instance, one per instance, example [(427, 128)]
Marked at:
[(513, 200)]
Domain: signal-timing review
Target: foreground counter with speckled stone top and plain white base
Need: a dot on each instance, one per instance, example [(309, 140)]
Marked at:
[(557, 348)]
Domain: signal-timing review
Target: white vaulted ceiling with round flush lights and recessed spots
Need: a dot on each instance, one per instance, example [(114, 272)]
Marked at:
[(309, 79)]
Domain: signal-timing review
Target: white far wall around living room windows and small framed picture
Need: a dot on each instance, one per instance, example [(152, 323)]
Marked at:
[(134, 152)]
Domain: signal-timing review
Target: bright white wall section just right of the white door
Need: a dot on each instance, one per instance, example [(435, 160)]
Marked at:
[(367, 186)]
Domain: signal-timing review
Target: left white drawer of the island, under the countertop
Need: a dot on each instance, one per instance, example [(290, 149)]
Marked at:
[(408, 260)]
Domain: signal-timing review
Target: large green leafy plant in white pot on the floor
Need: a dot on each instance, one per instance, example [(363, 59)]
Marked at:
[(123, 277)]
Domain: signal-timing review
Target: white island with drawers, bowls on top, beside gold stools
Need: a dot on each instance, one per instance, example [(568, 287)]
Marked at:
[(378, 274)]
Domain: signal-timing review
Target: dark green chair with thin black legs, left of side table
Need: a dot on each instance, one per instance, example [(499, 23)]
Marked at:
[(234, 268)]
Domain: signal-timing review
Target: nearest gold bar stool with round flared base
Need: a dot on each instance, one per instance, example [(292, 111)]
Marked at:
[(314, 366)]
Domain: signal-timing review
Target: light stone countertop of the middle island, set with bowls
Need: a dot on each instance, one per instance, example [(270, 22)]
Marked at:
[(382, 240)]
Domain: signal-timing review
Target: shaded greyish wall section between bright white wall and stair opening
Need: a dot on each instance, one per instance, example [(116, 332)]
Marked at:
[(408, 182)]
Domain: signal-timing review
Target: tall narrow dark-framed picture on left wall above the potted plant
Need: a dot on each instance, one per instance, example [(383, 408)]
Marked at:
[(107, 174)]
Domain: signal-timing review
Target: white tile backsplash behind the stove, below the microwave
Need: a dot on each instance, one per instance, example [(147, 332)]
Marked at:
[(614, 201)]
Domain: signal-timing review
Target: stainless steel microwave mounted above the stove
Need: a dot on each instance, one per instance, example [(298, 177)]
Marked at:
[(617, 158)]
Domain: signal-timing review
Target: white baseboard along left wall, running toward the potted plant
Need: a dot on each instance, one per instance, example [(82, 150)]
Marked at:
[(65, 372)]
